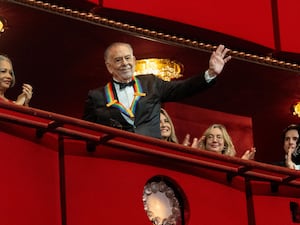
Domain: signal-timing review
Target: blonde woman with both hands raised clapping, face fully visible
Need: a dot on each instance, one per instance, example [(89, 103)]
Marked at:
[(217, 139)]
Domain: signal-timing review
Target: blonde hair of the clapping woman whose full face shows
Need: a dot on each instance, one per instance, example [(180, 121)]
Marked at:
[(228, 144)]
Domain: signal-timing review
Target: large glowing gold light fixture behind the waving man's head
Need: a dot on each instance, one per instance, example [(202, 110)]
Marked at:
[(166, 69)]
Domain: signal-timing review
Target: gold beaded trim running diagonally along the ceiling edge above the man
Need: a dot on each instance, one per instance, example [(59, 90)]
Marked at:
[(138, 31)]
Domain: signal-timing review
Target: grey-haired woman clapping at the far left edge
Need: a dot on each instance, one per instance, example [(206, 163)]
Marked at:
[(7, 80)]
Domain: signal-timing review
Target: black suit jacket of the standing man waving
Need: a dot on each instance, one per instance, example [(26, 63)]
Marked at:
[(147, 114)]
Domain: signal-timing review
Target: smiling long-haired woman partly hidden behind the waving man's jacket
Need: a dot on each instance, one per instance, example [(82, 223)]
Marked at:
[(167, 129)]
